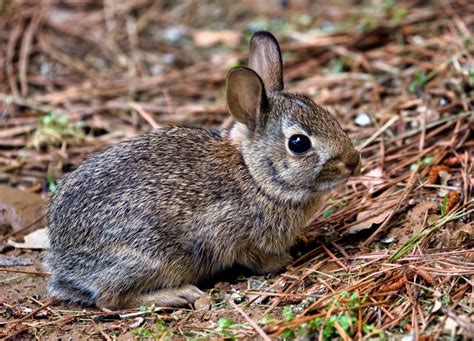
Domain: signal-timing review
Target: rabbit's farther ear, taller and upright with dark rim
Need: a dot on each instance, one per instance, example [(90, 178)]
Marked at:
[(265, 59)]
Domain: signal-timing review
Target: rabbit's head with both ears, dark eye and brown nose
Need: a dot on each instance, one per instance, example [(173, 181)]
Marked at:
[(294, 149)]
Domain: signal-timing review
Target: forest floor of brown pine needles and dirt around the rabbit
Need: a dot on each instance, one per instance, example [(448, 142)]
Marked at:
[(389, 256)]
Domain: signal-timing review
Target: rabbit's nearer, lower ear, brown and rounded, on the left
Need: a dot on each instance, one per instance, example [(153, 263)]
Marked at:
[(246, 97)]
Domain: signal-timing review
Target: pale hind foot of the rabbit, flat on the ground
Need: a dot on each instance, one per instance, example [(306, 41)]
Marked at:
[(172, 297)]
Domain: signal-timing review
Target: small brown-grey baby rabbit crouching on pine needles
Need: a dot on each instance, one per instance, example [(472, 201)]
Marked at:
[(147, 219)]
